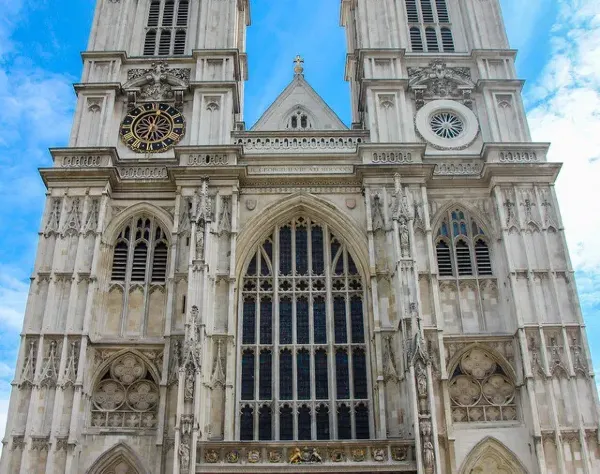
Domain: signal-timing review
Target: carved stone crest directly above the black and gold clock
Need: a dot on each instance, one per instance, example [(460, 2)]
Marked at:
[(158, 83)]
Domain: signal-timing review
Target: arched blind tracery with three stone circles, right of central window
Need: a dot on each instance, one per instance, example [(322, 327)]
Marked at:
[(481, 390)]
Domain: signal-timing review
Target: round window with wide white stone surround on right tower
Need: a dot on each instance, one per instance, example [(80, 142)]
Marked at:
[(447, 125)]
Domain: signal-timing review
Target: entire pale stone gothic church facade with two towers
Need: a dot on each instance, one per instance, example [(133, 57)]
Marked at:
[(302, 296)]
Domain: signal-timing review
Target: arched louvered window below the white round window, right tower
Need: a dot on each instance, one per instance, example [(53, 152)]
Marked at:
[(462, 248)]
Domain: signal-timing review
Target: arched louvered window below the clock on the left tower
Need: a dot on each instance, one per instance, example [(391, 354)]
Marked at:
[(140, 253)]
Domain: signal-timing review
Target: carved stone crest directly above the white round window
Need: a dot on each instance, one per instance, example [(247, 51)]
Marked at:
[(438, 81)]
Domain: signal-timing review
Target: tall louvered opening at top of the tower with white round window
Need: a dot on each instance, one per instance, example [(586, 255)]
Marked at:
[(429, 19)]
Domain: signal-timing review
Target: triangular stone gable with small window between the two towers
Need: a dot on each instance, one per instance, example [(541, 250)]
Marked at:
[(301, 99)]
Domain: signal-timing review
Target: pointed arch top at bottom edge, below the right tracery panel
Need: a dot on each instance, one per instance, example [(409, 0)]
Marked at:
[(490, 456)]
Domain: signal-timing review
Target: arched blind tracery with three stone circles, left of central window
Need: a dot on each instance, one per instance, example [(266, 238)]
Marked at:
[(125, 396)]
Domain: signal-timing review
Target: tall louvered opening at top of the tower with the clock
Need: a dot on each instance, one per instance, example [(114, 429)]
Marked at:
[(166, 28)]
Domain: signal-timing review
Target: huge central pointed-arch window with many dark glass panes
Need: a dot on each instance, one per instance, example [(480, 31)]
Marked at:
[(303, 352)]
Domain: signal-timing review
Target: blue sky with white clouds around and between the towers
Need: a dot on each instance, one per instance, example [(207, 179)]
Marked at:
[(40, 41)]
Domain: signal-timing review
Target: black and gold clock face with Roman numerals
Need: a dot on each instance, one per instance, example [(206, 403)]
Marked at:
[(152, 128)]
